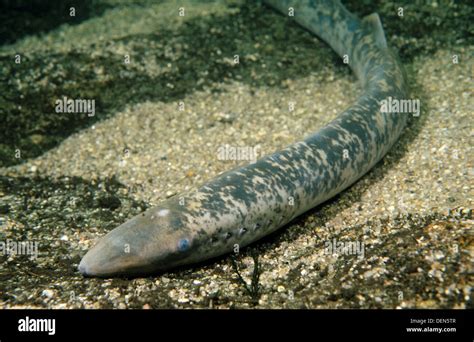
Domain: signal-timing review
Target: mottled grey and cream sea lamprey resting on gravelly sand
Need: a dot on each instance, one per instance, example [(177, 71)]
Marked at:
[(245, 204)]
